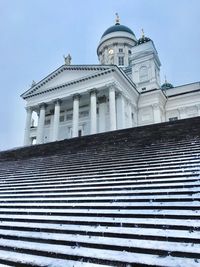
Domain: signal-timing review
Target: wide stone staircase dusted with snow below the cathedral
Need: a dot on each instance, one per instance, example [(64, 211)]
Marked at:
[(123, 198)]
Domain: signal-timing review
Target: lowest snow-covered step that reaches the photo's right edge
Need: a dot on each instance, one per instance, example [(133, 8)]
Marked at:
[(97, 255)]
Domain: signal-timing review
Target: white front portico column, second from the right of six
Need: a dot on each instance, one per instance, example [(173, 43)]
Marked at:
[(93, 111)]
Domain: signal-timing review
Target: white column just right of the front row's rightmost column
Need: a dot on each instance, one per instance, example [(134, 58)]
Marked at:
[(121, 119)]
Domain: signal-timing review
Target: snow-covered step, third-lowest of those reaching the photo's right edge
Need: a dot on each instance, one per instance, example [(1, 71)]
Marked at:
[(131, 233)]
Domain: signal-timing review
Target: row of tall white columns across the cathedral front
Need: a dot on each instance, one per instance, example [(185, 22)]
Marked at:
[(113, 123)]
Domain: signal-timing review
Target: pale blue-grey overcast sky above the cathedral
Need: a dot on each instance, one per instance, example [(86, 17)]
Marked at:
[(35, 34)]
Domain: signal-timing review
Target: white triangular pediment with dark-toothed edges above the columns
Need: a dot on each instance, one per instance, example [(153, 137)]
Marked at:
[(65, 75)]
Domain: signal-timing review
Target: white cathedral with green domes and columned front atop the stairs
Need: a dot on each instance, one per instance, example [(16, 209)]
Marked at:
[(123, 91)]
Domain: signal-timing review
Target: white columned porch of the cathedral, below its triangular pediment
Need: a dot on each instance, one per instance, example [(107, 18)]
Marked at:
[(86, 113)]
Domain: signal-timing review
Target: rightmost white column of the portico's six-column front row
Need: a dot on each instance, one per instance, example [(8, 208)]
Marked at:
[(112, 108)]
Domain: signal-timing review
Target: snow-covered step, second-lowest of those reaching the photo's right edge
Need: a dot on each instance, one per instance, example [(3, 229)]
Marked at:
[(118, 244)]
